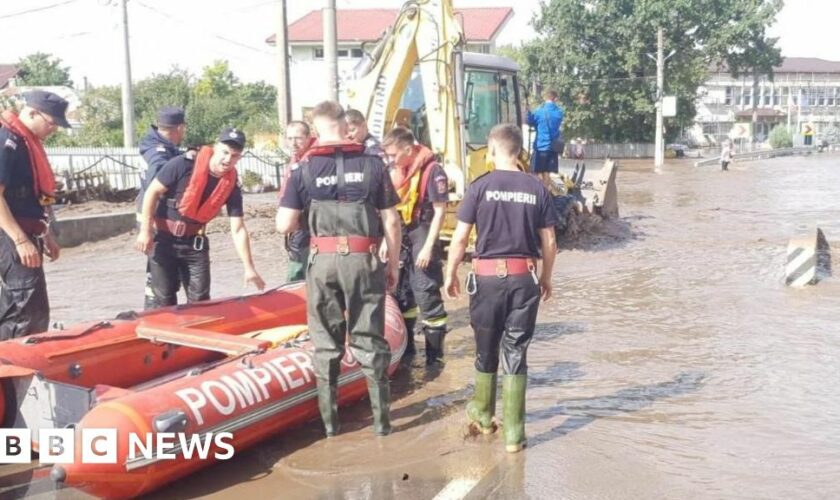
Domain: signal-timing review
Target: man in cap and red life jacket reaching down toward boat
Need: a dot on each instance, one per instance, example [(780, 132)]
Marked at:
[(192, 191)]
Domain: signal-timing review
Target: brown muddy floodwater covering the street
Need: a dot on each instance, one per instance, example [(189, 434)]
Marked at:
[(672, 362)]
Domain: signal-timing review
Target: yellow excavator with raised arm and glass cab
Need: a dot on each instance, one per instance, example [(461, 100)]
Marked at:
[(418, 75)]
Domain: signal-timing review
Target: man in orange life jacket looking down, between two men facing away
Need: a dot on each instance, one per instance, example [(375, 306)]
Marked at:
[(423, 189)]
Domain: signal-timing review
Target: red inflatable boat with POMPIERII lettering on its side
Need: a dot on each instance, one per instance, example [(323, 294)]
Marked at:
[(221, 375)]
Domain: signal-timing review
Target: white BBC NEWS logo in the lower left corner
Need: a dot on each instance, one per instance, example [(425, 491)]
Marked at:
[(99, 446)]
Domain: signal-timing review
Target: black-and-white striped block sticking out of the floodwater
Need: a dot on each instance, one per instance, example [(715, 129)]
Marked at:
[(809, 259)]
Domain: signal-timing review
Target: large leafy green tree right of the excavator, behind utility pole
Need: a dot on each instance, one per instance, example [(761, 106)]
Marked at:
[(594, 53)]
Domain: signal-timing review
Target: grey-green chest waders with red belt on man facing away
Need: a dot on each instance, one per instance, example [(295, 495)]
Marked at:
[(346, 294)]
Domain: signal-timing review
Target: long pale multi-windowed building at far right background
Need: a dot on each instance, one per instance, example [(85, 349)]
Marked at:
[(804, 93)]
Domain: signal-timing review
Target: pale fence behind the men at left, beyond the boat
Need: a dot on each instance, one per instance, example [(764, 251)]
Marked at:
[(121, 167)]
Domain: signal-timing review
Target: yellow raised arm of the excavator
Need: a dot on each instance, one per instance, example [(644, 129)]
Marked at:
[(425, 35)]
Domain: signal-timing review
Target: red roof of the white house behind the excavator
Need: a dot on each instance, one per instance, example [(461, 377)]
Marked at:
[(362, 25)]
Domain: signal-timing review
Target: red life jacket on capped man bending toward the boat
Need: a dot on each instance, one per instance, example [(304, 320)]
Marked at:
[(190, 204)]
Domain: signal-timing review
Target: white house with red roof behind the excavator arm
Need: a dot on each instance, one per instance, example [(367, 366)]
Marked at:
[(308, 73)]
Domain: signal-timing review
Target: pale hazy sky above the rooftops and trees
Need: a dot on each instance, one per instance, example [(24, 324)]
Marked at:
[(193, 33)]
